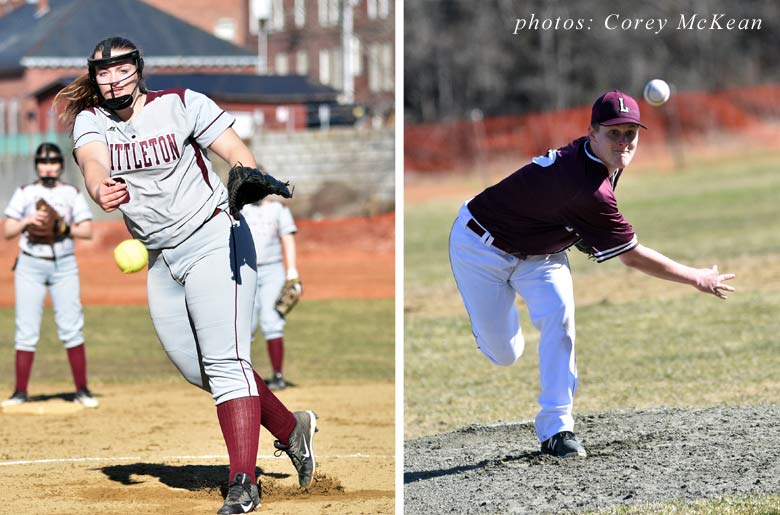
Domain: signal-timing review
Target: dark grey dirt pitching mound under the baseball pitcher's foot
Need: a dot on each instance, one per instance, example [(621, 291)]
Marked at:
[(635, 456)]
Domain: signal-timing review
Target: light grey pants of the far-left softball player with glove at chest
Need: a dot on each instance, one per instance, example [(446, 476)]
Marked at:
[(32, 277)]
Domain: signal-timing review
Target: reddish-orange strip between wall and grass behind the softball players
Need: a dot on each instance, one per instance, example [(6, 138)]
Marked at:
[(351, 258)]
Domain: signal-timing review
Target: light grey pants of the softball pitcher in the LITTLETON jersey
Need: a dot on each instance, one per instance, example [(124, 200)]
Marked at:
[(200, 299)]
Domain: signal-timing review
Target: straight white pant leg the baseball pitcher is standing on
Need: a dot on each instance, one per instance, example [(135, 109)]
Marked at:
[(549, 294)]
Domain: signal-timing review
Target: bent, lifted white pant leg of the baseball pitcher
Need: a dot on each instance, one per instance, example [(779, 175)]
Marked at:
[(482, 274)]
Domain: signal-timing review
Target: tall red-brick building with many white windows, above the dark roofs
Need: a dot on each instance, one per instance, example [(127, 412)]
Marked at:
[(309, 37)]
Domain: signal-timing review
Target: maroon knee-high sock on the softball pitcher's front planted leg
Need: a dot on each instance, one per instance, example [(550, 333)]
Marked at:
[(239, 420)]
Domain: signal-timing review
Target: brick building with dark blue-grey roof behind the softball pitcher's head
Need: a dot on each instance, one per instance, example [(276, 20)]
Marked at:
[(40, 43)]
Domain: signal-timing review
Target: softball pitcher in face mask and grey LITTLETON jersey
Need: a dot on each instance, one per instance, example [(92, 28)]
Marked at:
[(146, 153)]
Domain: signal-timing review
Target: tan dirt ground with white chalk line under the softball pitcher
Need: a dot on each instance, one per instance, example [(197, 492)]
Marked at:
[(140, 454)]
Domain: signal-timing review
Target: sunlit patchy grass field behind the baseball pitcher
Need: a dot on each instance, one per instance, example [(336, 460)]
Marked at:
[(641, 342)]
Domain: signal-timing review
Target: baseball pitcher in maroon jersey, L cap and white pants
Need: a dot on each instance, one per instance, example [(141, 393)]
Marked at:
[(511, 239)]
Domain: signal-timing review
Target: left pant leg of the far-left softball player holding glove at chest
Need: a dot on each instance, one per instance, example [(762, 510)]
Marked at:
[(30, 278)]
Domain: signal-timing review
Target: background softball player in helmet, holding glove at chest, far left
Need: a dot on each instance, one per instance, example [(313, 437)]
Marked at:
[(48, 214)]
